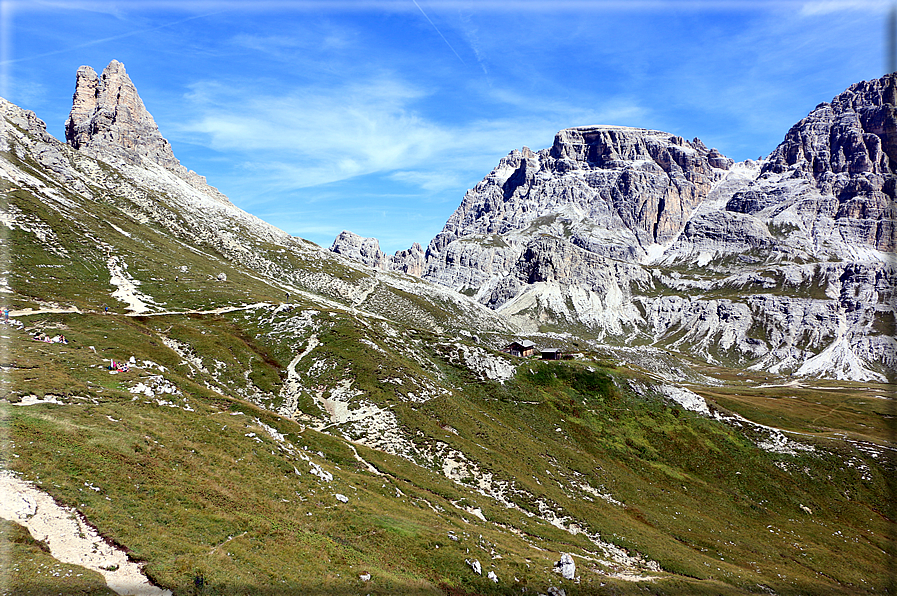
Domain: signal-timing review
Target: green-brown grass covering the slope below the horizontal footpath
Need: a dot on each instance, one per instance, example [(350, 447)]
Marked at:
[(181, 483)]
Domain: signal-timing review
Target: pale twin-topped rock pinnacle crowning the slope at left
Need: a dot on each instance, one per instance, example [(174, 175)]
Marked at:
[(108, 121)]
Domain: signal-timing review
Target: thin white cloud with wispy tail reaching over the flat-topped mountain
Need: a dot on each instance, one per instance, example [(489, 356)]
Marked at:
[(316, 136)]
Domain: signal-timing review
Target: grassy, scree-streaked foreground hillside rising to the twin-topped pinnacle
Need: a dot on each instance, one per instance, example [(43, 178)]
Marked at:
[(293, 422)]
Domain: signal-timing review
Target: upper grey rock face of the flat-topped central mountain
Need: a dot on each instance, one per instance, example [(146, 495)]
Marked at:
[(642, 183)]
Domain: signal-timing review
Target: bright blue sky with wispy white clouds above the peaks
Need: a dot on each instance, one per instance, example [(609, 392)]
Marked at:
[(377, 116)]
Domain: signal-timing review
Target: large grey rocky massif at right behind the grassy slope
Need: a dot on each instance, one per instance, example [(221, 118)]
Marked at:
[(639, 237)]
